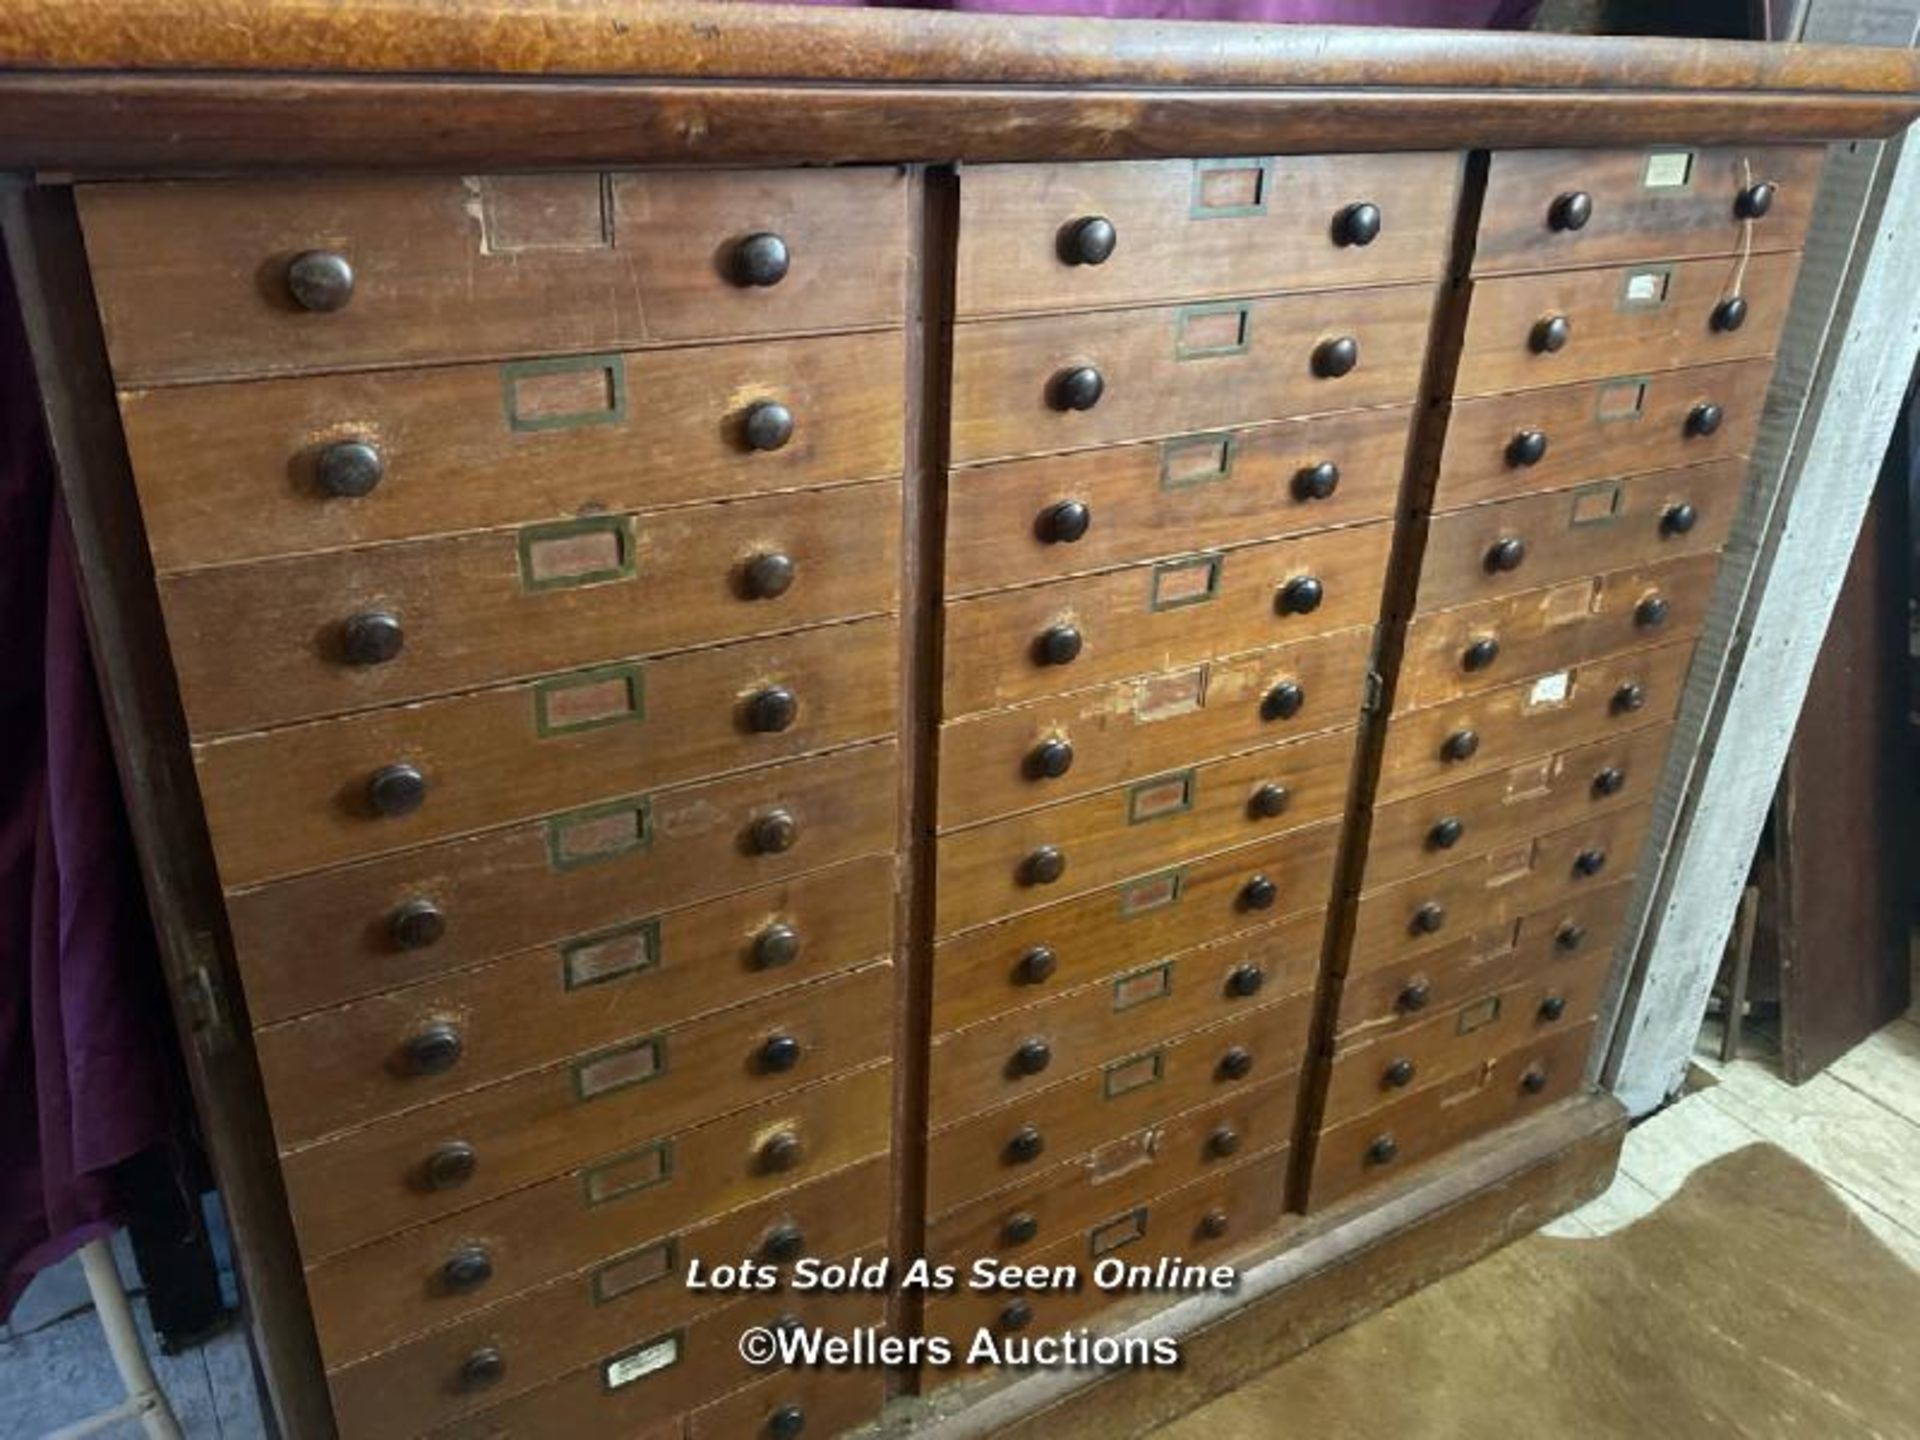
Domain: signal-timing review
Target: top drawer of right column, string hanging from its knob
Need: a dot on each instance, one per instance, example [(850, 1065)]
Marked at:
[(1641, 204)]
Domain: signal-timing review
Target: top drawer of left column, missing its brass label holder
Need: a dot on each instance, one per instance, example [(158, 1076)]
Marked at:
[(195, 277)]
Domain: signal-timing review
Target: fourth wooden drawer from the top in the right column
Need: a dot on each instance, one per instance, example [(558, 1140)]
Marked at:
[(1568, 535)]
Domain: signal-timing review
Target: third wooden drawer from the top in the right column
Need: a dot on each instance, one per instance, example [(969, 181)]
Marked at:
[(1602, 429)]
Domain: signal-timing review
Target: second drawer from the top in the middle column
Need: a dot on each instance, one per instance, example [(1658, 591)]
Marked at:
[(1180, 370)]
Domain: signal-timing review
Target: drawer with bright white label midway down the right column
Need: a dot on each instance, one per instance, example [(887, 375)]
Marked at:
[(1504, 727)]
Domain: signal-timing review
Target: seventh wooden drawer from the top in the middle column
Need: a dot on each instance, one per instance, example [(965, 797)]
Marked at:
[(1111, 932)]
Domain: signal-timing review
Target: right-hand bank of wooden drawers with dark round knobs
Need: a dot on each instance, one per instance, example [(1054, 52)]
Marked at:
[(1616, 354)]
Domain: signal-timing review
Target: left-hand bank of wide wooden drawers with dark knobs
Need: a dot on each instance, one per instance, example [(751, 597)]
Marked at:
[(542, 677)]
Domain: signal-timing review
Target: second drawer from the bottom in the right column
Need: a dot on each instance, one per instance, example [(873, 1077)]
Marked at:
[(1458, 1040)]
